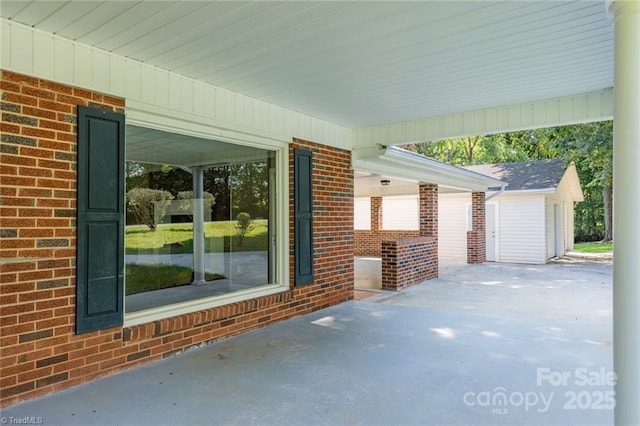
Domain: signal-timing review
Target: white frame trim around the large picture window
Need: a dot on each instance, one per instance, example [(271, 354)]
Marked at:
[(281, 148)]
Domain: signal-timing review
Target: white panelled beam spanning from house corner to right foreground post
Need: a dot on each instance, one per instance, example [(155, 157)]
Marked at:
[(576, 109)]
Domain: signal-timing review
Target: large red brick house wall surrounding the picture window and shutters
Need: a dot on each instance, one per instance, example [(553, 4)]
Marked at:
[(39, 351)]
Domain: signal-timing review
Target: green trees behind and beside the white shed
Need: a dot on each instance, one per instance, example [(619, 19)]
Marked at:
[(589, 146)]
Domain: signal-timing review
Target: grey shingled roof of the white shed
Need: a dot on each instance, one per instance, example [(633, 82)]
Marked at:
[(525, 175)]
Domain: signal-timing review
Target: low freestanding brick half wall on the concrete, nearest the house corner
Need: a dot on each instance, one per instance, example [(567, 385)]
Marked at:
[(408, 261)]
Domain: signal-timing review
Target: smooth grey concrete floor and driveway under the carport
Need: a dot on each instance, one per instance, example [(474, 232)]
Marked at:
[(488, 344)]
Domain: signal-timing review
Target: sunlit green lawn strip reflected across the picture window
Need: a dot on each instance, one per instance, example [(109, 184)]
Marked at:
[(178, 238)]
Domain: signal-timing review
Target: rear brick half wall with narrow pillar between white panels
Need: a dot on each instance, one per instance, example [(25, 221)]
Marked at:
[(369, 242)]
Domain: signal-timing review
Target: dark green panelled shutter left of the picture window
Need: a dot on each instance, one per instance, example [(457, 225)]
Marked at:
[(100, 237)]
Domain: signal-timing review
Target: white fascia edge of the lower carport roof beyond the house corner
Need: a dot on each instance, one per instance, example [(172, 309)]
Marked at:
[(393, 161)]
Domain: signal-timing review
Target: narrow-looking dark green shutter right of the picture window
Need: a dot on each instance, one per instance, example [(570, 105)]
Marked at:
[(303, 207)]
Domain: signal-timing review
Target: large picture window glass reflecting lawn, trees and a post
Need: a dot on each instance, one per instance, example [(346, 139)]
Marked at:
[(201, 218)]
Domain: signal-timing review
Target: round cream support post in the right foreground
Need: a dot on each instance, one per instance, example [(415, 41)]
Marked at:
[(626, 208)]
